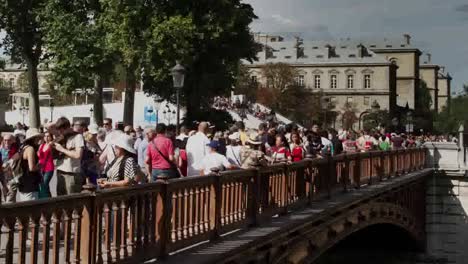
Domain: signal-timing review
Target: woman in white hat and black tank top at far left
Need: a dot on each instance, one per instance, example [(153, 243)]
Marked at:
[(28, 183)]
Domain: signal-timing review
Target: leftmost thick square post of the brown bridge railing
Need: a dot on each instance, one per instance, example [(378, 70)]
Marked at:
[(88, 226)]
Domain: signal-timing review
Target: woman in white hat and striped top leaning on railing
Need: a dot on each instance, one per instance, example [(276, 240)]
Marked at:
[(124, 170)]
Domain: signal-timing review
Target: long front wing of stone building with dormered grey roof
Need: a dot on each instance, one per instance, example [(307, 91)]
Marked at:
[(344, 74)]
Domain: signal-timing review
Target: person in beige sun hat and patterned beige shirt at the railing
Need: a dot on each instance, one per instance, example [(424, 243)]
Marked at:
[(251, 154)]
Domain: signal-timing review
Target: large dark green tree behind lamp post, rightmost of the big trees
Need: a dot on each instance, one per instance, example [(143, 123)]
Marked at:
[(221, 38)]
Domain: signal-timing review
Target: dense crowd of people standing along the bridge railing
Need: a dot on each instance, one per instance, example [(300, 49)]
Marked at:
[(107, 157)]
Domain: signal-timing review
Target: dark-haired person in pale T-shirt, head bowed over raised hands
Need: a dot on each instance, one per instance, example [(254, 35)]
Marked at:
[(69, 177)]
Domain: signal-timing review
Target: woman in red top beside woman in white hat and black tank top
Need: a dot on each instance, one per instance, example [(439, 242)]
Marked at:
[(47, 165)]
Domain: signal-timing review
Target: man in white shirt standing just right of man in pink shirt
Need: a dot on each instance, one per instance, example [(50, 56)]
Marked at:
[(197, 149)]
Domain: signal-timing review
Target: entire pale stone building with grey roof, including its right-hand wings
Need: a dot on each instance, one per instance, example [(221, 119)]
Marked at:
[(392, 68)]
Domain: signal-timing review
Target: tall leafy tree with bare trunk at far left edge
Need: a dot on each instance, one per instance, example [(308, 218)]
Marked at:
[(24, 42)]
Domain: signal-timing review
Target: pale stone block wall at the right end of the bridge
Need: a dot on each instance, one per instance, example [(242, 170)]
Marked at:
[(447, 203)]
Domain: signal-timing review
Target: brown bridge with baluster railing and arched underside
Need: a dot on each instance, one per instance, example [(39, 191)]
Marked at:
[(285, 213)]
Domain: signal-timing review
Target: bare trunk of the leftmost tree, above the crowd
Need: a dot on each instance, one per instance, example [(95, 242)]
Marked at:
[(34, 110)]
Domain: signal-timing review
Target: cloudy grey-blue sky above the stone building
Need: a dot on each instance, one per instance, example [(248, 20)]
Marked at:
[(439, 27)]
